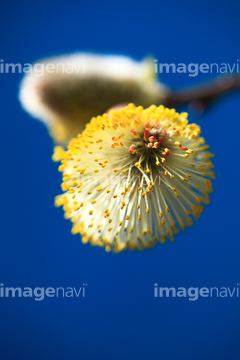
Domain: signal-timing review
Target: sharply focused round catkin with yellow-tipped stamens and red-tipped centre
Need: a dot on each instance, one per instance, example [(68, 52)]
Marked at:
[(149, 187)]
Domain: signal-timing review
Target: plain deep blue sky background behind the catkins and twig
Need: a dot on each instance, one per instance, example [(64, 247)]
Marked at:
[(119, 318)]
